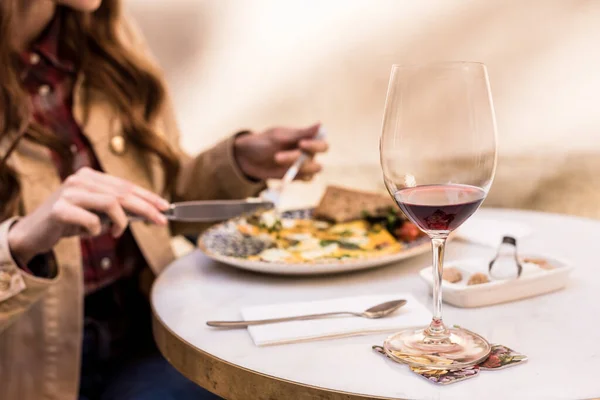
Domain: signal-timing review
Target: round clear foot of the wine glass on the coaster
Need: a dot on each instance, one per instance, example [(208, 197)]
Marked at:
[(461, 349)]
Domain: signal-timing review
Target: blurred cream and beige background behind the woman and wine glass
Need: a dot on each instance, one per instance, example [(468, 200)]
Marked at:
[(235, 64)]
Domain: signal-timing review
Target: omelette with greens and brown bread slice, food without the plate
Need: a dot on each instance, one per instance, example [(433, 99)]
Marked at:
[(341, 232)]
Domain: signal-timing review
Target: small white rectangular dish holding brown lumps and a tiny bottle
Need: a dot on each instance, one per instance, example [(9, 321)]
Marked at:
[(533, 282)]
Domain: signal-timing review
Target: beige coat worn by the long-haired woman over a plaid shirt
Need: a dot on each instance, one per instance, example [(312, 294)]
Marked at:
[(41, 319)]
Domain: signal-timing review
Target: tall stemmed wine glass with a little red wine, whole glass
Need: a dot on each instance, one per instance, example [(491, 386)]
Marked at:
[(438, 155)]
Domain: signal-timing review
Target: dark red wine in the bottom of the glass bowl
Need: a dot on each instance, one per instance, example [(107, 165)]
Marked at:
[(439, 208)]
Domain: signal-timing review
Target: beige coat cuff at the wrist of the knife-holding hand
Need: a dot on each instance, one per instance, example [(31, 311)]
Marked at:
[(11, 278)]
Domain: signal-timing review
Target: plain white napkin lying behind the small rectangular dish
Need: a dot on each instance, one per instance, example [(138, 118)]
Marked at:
[(489, 232)]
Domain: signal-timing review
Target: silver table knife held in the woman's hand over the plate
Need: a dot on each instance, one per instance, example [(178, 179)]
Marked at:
[(204, 211)]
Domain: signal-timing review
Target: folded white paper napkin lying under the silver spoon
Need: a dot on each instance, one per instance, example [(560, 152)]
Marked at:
[(412, 313)]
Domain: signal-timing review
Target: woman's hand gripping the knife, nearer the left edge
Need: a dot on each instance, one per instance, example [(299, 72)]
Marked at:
[(72, 211)]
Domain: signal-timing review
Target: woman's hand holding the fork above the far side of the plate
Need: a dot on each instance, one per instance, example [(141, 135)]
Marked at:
[(269, 154)]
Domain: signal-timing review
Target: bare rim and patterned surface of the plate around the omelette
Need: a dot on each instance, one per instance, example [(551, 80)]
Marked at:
[(223, 243)]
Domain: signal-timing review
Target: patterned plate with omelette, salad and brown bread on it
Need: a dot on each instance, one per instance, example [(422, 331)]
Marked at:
[(348, 230)]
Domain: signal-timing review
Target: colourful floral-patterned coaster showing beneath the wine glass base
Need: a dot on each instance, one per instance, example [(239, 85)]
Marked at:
[(500, 357)]
